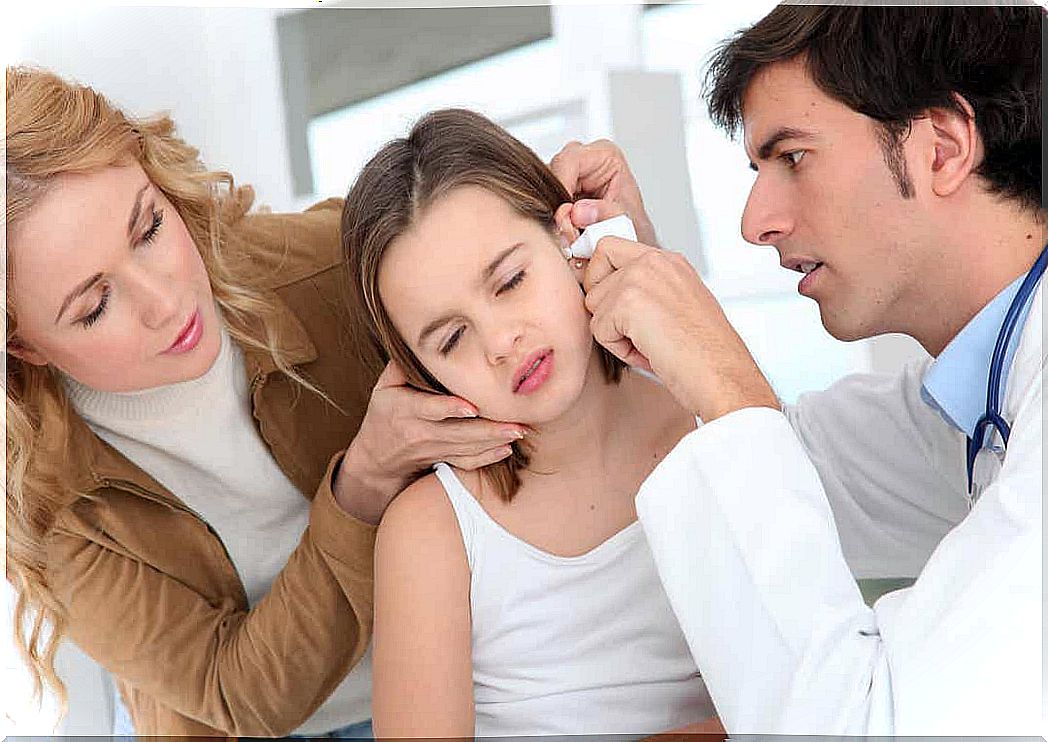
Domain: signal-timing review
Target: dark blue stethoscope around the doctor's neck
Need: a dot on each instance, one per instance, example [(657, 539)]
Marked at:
[(992, 419)]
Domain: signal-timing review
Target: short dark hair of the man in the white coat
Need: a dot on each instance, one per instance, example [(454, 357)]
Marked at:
[(892, 64)]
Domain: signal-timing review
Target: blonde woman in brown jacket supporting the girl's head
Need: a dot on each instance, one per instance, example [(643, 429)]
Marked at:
[(183, 383)]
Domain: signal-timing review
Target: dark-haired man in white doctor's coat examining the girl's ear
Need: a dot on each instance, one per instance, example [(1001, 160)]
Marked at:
[(899, 168)]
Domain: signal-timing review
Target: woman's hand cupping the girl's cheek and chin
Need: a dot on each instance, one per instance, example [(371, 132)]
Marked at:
[(405, 432)]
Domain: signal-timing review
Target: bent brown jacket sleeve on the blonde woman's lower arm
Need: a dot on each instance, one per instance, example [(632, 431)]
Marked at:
[(261, 672)]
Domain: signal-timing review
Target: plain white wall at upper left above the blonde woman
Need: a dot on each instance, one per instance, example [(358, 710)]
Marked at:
[(215, 70)]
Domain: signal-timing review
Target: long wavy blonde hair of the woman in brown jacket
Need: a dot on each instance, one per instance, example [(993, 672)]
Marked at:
[(56, 127)]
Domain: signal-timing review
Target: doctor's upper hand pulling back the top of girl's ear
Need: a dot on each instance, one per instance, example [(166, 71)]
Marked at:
[(600, 178)]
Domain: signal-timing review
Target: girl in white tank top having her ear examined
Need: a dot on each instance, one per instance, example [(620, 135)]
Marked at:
[(520, 600)]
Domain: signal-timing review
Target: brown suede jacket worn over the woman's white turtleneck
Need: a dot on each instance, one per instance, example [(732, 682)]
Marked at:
[(149, 588)]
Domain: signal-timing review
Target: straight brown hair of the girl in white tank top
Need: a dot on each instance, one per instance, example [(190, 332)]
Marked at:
[(445, 150)]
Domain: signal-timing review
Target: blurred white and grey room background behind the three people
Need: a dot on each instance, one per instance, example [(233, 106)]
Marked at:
[(296, 100)]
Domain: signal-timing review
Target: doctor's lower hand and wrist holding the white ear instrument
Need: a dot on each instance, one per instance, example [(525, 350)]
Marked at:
[(651, 310)]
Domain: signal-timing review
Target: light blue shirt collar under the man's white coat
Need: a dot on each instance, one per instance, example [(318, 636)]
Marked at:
[(955, 384)]
